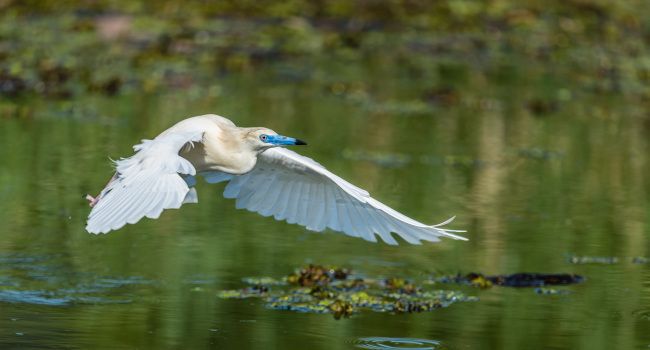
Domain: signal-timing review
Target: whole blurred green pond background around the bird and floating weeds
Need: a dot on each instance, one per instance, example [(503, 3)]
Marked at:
[(529, 120)]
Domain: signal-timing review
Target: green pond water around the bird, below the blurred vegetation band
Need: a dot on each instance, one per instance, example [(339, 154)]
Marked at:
[(531, 189)]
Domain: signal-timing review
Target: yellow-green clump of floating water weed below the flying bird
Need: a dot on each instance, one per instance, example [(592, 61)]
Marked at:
[(324, 289)]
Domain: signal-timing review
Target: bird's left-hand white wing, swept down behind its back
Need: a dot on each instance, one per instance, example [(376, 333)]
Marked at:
[(146, 183)]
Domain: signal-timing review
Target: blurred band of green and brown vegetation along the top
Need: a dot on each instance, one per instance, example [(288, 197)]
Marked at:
[(558, 52)]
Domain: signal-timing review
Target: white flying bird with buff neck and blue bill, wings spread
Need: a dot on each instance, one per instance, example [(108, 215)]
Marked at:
[(262, 177)]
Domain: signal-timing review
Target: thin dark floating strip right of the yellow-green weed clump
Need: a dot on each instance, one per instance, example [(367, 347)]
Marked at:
[(514, 280)]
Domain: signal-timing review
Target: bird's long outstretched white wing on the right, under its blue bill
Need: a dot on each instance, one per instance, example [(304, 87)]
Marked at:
[(295, 188)]
